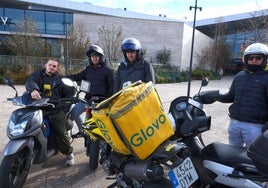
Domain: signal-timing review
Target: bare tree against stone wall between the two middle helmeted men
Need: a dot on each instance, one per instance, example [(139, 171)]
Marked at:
[(110, 39)]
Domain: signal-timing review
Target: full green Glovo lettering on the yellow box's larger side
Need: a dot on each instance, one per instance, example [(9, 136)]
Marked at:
[(138, 138)]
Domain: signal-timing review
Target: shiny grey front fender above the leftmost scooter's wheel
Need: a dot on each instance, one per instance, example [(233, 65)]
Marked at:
[(13, 146)]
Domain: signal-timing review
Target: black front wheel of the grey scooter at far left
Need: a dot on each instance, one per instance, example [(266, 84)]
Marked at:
[(14, 169)]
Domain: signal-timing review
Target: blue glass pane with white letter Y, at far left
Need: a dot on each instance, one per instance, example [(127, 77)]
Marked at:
[(14, 16)]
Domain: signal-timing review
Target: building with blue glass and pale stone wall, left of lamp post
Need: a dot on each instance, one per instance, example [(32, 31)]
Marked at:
[(154, 32)]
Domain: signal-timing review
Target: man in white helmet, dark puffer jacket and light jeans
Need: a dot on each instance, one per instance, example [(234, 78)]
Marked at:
[(249, 97)]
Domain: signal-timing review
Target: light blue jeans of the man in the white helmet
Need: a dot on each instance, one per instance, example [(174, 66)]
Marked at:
[(243, 133)]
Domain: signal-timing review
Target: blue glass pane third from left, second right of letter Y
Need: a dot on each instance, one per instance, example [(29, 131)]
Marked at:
[(55, 23)]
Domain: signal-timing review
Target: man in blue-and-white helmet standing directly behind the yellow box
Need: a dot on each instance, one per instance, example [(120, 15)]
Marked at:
[(134, 67)]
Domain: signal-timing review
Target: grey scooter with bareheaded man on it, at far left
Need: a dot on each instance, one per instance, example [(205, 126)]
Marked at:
[(31, 138)]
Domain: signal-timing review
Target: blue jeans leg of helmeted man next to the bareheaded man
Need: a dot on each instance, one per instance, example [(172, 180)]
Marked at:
[(76, 114)]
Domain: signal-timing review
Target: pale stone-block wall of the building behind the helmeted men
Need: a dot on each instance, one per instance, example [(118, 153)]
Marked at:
[(154, 35)]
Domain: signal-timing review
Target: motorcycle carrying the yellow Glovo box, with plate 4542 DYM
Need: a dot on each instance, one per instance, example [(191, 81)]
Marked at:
[(135, 151)]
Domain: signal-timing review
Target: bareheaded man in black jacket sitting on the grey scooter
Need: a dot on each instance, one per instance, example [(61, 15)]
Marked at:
[(47, 83)]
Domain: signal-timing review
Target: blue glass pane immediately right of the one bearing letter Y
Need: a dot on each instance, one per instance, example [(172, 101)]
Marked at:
[(38, 17)]
